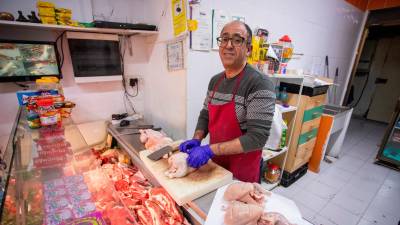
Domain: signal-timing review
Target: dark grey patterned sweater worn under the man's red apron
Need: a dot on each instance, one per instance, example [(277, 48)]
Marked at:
[(254, 105)]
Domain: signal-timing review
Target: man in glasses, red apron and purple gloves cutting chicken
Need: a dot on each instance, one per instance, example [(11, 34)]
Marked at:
[(237, 112)]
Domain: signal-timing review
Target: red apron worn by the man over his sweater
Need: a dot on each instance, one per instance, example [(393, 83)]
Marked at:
[(224, 126)]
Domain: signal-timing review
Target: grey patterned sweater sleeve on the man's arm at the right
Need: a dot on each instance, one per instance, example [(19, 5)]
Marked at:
[(260, 105)]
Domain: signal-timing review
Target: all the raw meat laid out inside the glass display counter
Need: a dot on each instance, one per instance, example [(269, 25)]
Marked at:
[(94, 184)]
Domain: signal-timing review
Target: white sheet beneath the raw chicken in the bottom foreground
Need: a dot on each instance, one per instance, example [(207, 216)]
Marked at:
[(274, 203)]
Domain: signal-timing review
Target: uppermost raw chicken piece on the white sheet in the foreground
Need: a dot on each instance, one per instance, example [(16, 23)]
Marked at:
[(250, 193)]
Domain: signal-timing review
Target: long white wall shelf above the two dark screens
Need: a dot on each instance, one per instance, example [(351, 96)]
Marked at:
[(52, 27)]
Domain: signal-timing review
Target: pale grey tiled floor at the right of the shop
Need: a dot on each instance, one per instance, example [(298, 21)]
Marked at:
[(351, 190)]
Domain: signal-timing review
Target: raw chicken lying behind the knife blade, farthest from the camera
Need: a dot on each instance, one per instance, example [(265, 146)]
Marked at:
[(153, 140)]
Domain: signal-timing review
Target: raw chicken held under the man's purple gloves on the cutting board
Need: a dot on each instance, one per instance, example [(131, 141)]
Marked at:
[(178, 166)]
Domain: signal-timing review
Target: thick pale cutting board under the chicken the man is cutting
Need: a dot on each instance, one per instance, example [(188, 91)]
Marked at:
[(196, 184)]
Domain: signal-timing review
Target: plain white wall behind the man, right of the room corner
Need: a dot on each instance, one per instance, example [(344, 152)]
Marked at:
[(317, 28)]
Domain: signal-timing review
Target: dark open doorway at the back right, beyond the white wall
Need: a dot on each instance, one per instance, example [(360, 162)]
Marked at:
[(374, 87)]
